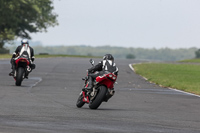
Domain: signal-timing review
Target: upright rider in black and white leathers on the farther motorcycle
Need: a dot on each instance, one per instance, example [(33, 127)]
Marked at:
[(22, 49)]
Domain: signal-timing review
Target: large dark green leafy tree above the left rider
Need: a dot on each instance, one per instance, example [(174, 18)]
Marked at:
[(18, 18)]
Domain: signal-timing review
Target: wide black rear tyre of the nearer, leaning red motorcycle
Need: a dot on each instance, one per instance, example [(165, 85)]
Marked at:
[(99, 98)]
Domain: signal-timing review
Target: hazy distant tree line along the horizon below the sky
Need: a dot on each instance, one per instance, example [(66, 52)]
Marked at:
[(162, 54)]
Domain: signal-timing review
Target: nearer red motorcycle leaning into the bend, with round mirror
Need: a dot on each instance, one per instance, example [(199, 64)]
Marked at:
[(102, 90)]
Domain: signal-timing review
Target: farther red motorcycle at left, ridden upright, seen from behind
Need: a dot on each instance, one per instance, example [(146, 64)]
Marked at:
[(22, 69)]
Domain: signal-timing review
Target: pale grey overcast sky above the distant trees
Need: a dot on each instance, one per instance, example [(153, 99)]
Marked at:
[(127, 23)]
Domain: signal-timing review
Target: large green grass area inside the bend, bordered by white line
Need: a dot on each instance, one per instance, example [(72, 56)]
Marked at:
[(184, 77)]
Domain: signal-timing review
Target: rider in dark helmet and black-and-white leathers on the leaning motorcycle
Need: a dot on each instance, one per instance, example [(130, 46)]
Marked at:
[(107, 65)]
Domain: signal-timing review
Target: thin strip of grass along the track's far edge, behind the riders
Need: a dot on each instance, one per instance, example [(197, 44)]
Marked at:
[(7, 56)]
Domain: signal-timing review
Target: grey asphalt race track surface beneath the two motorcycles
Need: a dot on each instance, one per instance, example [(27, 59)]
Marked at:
[(45, 103)]
